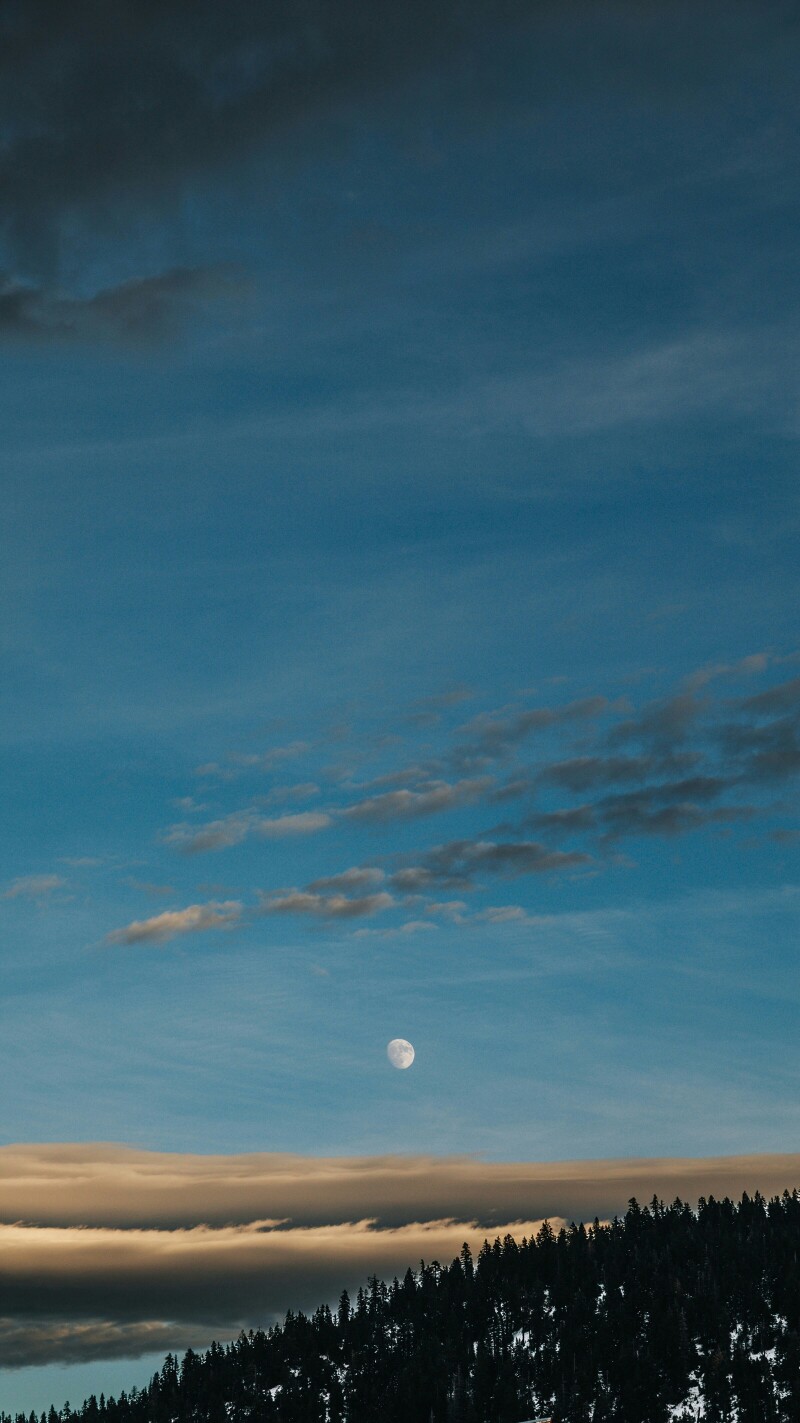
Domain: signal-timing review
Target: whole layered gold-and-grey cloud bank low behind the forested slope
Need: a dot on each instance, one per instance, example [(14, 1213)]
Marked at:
[(109, 1252)]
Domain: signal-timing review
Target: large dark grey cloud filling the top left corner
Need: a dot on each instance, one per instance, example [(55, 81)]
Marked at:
[(117, 102)]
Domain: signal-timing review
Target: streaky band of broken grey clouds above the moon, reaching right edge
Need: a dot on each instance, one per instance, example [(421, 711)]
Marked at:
[(684, 763)]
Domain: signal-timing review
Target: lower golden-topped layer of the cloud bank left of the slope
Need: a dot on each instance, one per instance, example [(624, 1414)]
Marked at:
[(226, 1277)]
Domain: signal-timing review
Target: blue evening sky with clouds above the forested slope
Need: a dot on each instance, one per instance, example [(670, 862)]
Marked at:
[(399, 570)]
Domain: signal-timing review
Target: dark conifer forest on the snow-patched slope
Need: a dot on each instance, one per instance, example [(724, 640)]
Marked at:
[(665, 1316)]
